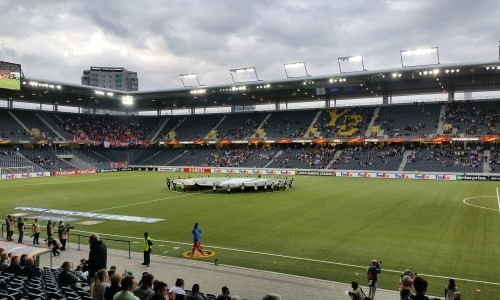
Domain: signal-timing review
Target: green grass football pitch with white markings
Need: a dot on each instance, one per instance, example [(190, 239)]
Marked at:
[(324, 227)]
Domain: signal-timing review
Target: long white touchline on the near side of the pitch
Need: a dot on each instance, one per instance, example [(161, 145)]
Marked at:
[(291, 257)]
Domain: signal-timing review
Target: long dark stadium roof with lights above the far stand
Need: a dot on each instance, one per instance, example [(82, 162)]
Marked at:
[(431, 79)]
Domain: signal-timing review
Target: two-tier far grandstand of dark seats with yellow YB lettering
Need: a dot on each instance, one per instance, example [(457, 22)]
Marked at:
[(415, 120)]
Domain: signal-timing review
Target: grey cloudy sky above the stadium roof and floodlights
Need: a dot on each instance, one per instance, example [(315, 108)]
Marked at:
[(161, 39)]
